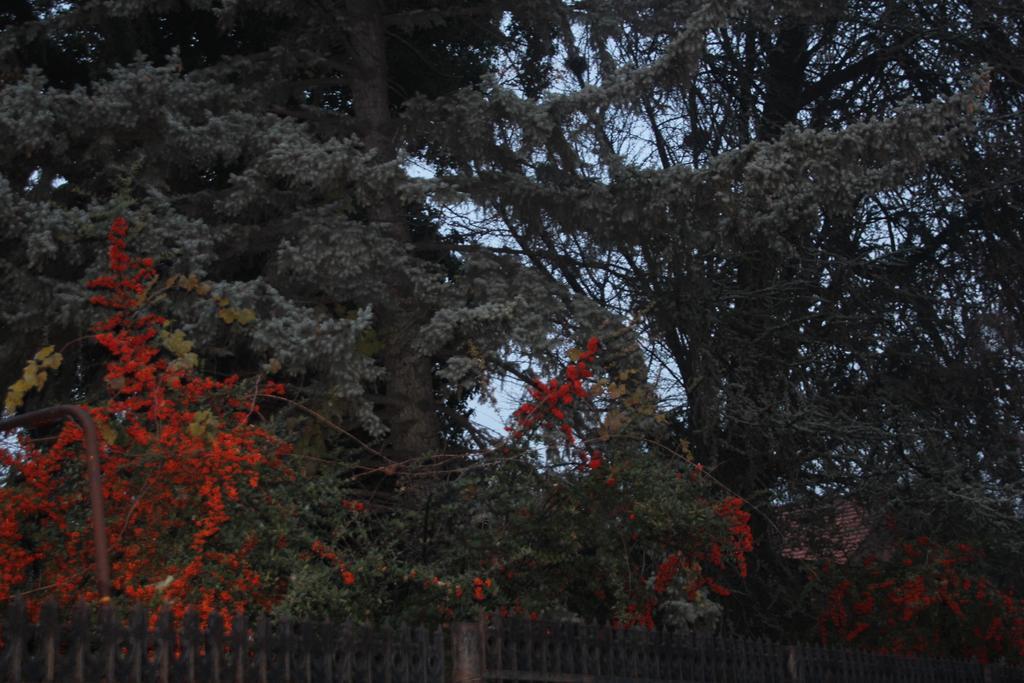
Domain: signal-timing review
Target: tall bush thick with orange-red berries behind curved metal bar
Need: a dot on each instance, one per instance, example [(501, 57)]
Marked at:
[(183, 462)]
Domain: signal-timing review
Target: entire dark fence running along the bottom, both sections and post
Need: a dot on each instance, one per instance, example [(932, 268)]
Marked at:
[(98, 648)]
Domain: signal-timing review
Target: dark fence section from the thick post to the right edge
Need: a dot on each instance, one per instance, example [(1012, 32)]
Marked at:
[(556, 653)]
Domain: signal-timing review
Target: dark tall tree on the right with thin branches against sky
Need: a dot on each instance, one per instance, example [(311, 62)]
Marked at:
[(781, 197)]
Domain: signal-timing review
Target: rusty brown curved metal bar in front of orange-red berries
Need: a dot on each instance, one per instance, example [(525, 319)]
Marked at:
[(82, 417)]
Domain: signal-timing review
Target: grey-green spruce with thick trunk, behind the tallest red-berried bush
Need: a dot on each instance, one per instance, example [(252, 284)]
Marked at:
[(260, 154)]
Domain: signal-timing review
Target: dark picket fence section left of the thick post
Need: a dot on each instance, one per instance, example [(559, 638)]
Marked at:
[(100, 649)]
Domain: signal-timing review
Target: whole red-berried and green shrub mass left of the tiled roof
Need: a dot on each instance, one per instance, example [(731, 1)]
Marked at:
[(204, 517)]
